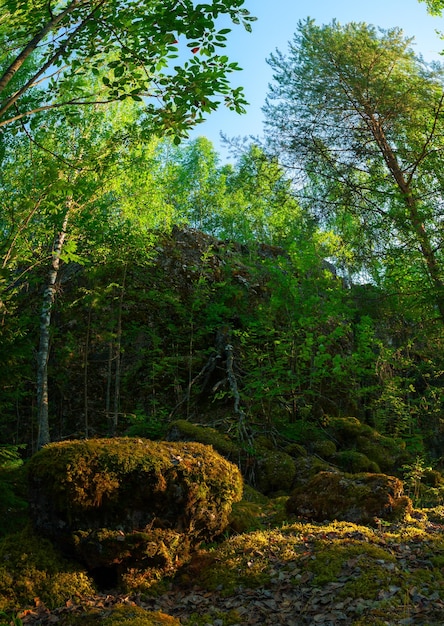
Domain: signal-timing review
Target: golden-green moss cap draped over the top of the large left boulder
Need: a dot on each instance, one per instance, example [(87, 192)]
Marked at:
[(78, 476)]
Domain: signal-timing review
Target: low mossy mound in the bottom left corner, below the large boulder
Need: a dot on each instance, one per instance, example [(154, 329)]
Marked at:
[(31, 567)]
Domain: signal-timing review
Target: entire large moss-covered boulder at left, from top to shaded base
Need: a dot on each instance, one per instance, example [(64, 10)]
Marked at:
[(131, 502)]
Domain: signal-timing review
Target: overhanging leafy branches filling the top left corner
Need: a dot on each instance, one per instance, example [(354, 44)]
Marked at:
[(50, 50)]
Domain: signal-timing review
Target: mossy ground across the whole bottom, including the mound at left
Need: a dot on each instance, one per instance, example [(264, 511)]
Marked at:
[(278, 571)]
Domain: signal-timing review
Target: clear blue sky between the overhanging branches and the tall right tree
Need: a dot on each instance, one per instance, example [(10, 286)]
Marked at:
[(274, 28)]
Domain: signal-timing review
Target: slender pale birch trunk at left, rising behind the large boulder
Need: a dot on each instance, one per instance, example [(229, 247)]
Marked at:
[(45, 322)]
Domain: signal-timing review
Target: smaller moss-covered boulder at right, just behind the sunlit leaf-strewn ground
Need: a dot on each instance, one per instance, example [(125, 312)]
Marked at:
[(359, 498)]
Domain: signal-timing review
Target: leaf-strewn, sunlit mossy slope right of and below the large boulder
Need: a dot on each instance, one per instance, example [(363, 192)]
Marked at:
[(299, 574)]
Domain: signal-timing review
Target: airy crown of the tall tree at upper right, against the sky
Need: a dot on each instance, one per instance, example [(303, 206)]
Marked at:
[(357, 116)]
